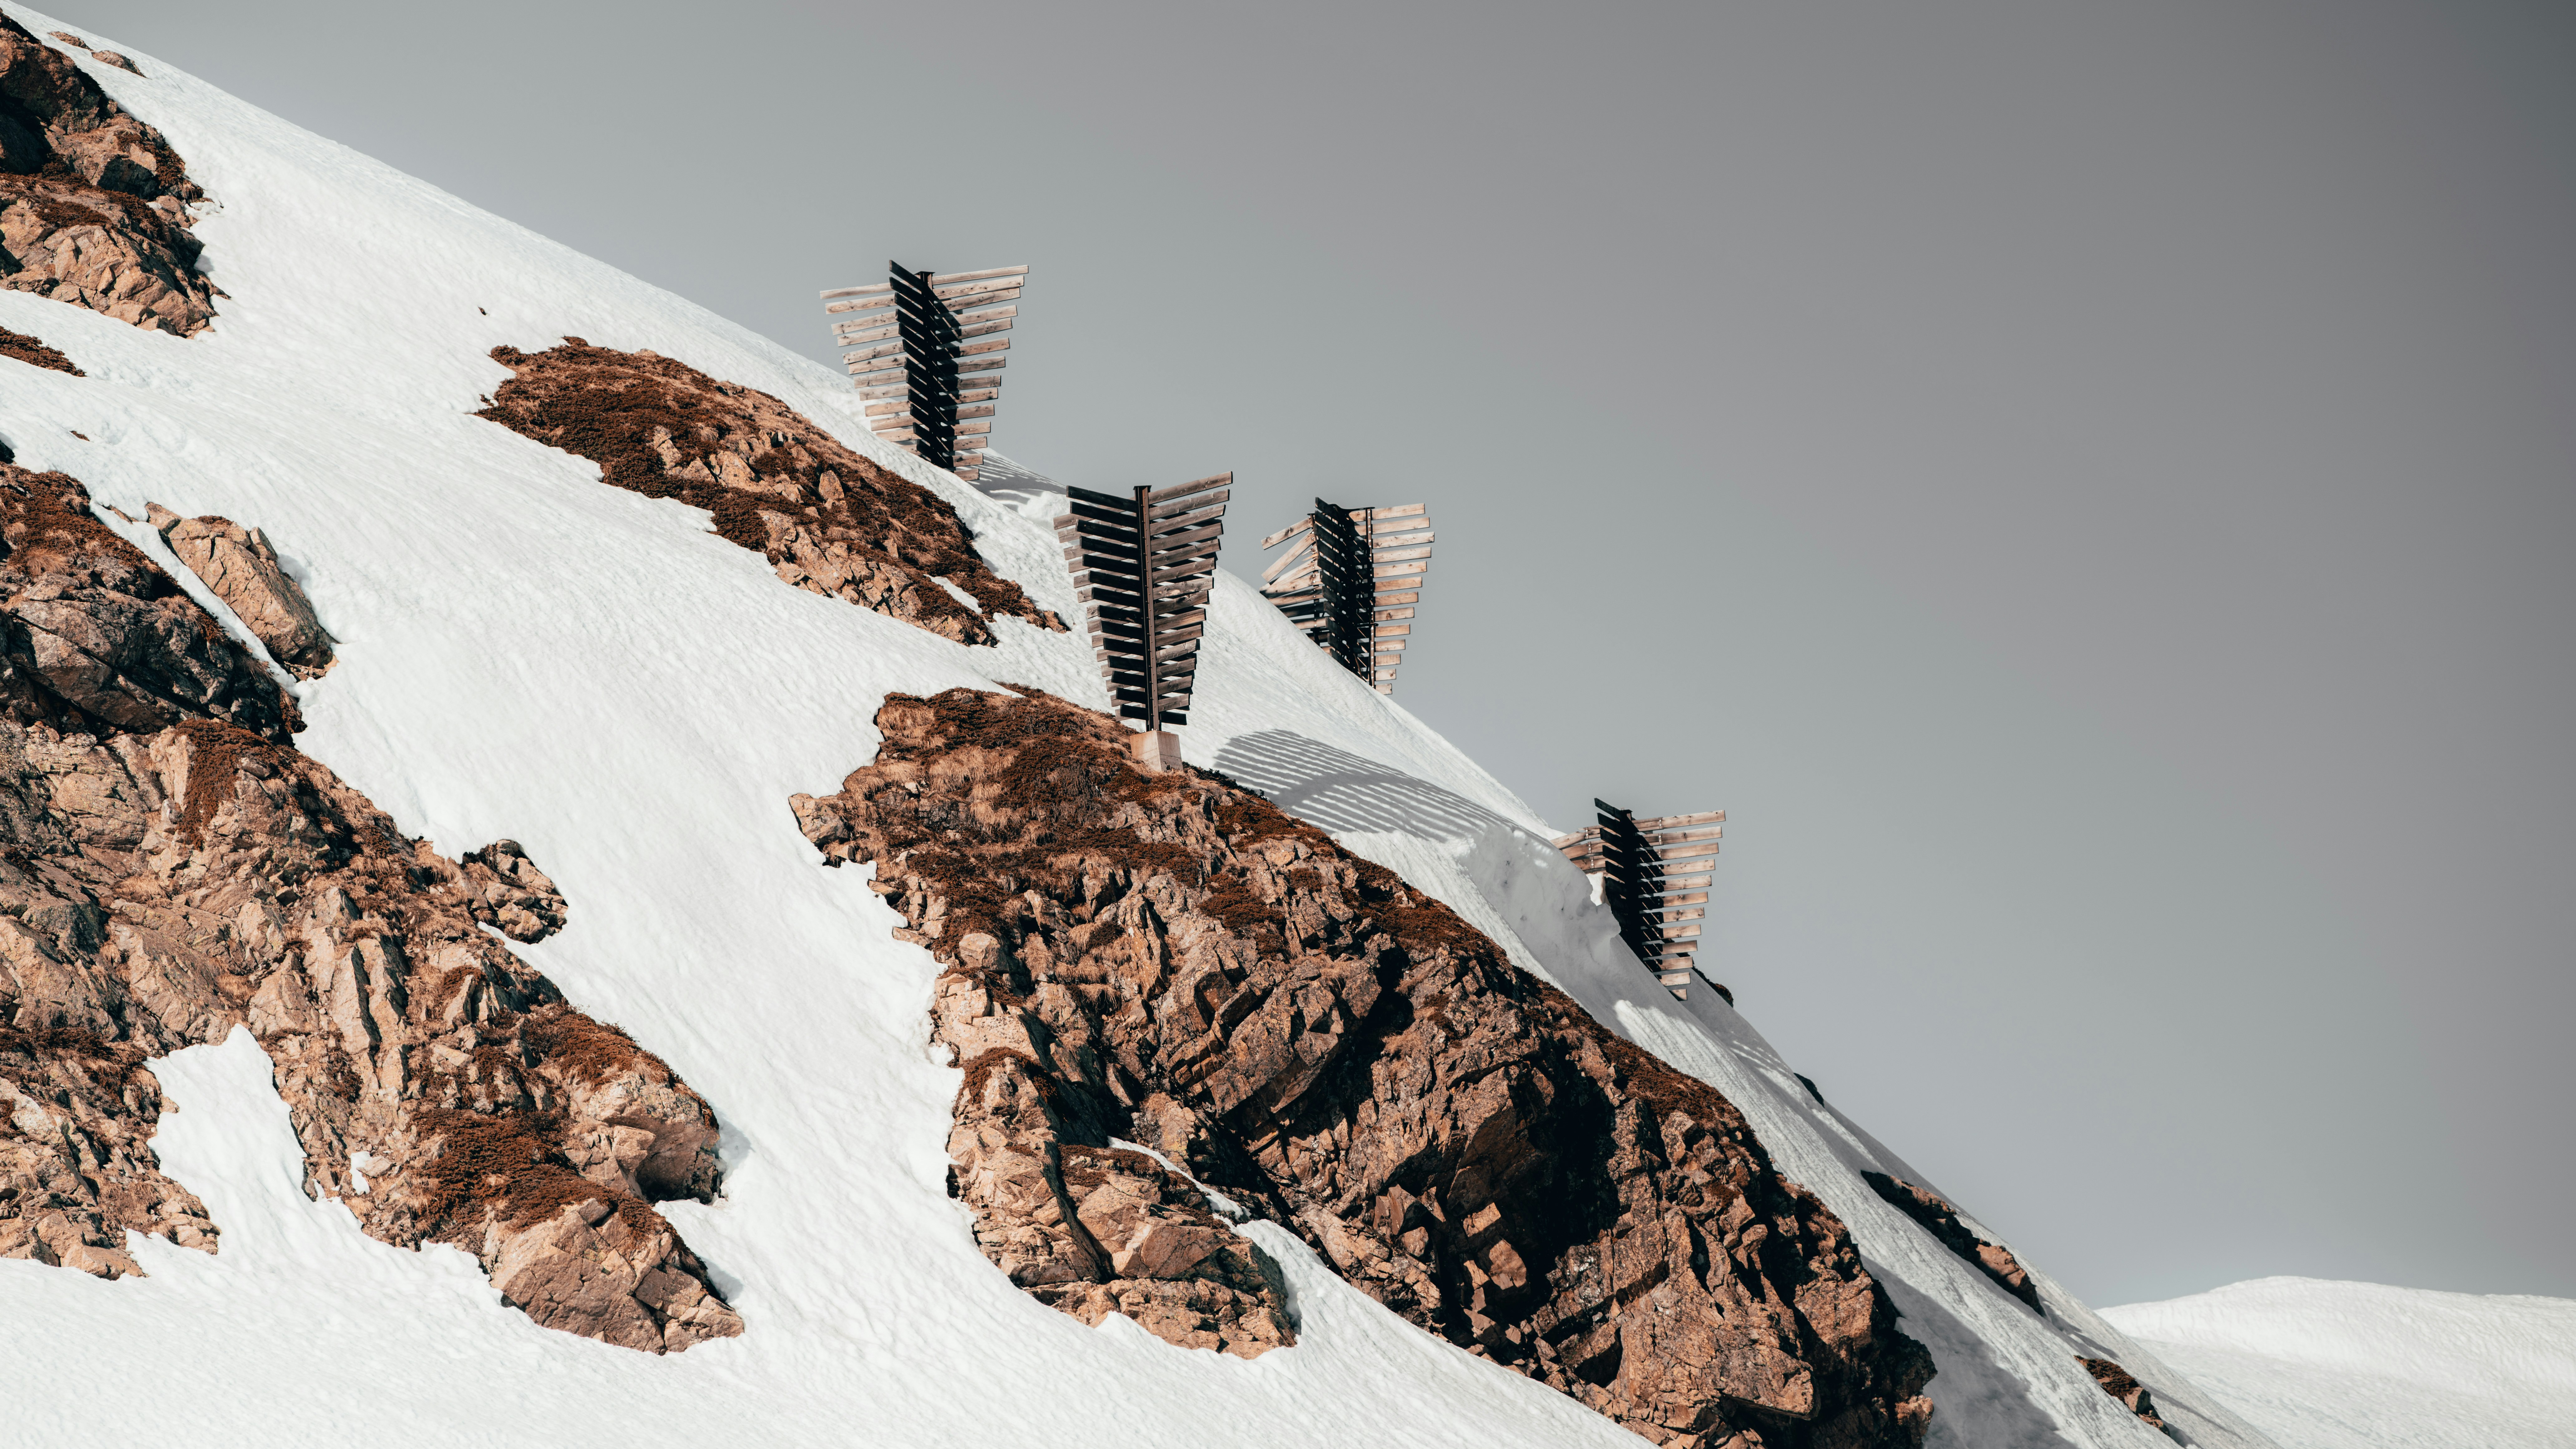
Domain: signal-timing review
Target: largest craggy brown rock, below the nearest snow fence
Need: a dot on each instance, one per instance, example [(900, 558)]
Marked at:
[(1173, 963)]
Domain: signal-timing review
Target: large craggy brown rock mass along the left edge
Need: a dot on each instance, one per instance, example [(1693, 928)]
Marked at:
[(174, 868)]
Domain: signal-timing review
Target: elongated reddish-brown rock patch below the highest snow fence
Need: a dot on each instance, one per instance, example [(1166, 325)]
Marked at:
[(779, 486)]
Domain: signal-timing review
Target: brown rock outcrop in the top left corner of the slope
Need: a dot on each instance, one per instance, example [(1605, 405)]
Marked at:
[(94, 205)]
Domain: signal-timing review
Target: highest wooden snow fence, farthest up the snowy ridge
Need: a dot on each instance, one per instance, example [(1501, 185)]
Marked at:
[(926, 352)]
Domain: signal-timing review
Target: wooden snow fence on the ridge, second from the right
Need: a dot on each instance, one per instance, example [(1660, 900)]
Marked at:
[(1351, 581)]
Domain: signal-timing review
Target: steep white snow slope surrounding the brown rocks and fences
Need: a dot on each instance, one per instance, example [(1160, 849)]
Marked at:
[(527, 654)]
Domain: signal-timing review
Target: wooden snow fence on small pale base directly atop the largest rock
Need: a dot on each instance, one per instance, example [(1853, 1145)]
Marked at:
[(1145, 569)]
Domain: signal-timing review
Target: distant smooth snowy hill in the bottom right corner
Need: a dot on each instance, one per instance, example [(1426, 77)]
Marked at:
[(2325, 1365)]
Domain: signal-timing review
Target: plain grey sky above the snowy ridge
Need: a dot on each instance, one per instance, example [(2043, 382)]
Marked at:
[(2085, 486)]
